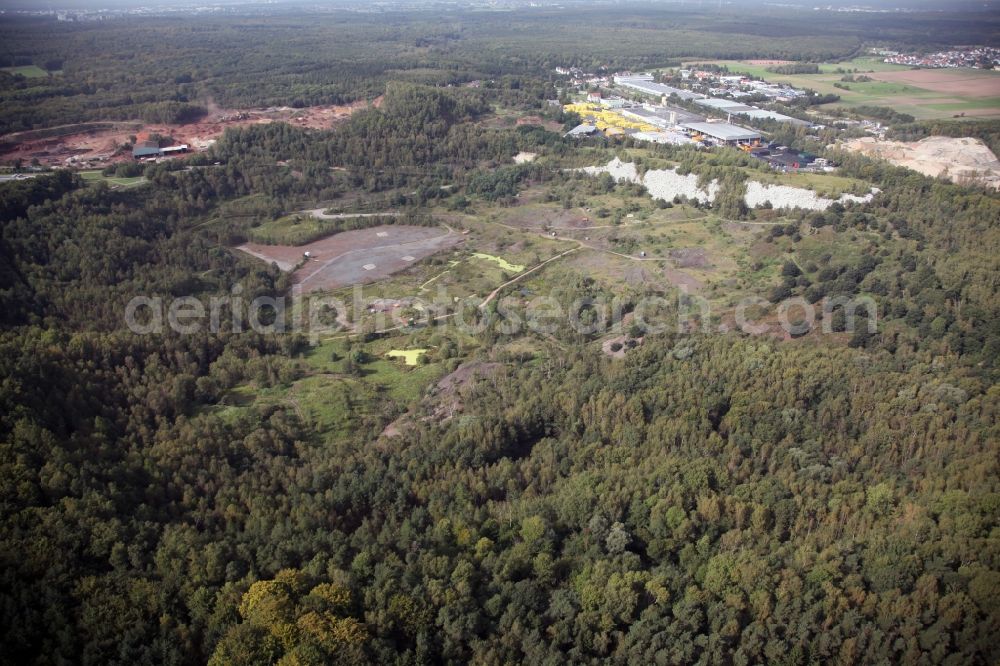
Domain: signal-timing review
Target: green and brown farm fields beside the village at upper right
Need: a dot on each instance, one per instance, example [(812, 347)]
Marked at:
[(925, 94)]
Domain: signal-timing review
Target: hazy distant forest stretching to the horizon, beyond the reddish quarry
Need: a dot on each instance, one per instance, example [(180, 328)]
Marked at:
[(169, 68)]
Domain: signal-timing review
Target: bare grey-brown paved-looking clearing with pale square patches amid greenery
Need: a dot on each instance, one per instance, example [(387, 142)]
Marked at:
[(355, 257)]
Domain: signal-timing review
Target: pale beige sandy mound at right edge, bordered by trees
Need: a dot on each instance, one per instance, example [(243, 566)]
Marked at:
[(964, 161)]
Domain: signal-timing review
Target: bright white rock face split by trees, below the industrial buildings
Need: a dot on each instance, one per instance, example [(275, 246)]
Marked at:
[(667, 183)]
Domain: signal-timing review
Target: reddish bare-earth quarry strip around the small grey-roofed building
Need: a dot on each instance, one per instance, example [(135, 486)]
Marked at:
[(98, 146)]
